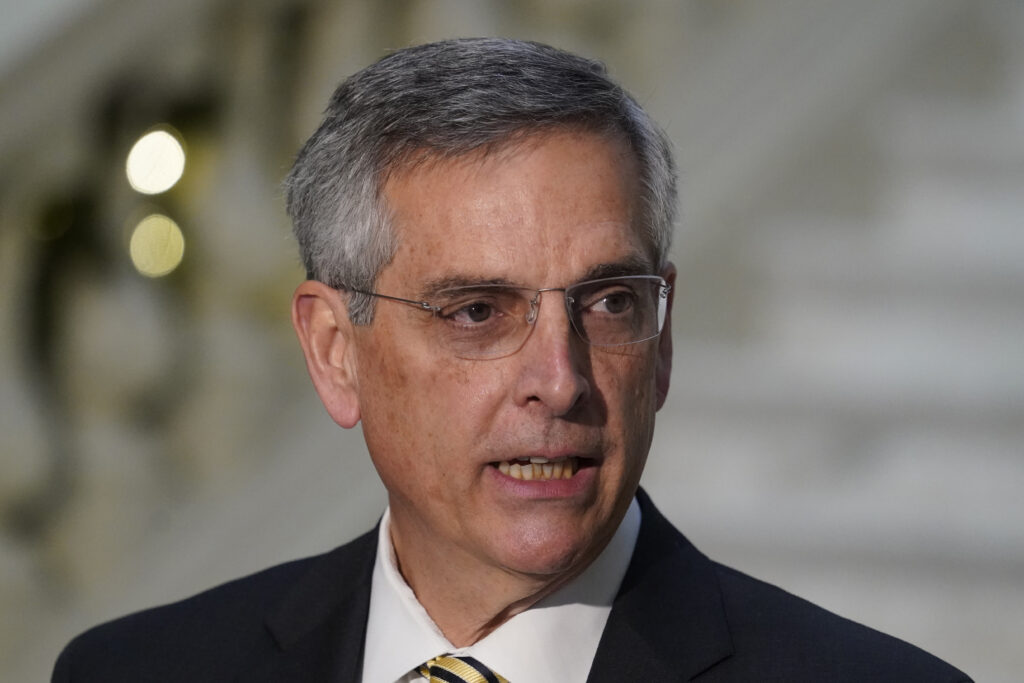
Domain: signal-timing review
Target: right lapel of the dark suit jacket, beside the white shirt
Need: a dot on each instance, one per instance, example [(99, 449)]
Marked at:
[(668, 622)]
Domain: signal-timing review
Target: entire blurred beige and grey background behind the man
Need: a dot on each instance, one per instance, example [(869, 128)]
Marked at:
[(847, 412)]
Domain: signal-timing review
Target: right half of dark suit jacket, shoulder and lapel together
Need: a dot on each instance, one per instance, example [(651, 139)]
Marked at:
[(714, 624)]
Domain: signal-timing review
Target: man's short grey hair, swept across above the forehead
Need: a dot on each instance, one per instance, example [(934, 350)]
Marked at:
[(443, 101)]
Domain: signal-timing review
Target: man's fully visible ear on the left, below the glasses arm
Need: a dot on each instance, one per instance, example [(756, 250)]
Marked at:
[(320, 316)]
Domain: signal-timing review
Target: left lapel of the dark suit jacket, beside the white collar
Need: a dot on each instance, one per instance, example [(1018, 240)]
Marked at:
[(319, 628)]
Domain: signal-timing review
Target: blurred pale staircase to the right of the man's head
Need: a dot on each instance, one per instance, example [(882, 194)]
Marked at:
[(858, 434)]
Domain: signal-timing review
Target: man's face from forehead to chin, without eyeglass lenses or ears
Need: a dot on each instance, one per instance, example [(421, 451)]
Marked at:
[(548, 212)]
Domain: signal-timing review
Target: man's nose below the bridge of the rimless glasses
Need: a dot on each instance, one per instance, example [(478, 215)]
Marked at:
[(553, 361)]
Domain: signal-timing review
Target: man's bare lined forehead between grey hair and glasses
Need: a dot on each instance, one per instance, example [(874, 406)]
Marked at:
[(543, 211)]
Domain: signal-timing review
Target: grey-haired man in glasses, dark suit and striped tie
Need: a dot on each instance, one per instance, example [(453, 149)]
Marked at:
[(486, 226)]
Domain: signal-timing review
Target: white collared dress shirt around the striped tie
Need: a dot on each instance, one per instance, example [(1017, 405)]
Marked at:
[(554, 641)]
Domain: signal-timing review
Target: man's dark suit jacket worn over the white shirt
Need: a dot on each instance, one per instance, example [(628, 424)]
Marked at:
[(678, 617)]
